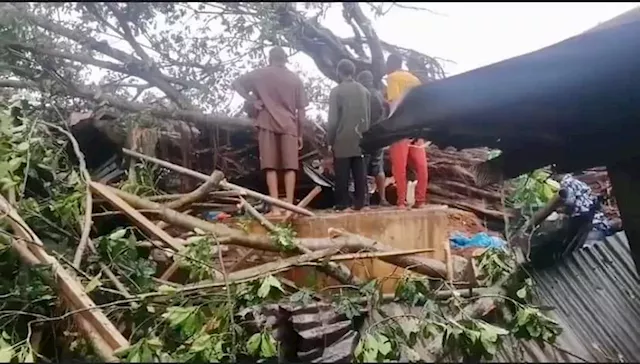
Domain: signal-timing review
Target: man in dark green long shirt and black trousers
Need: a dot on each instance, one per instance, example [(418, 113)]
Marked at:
[(349, 113)]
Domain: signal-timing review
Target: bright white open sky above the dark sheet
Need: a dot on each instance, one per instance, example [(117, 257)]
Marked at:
[(478, 34)]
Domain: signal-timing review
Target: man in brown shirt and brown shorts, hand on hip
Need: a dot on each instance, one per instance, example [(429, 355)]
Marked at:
[(280, 101)]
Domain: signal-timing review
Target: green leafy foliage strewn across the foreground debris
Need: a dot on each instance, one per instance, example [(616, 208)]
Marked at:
[(200, 318)]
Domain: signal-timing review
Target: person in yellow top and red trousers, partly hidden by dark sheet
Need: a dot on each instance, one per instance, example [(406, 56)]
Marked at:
[(399, 82)]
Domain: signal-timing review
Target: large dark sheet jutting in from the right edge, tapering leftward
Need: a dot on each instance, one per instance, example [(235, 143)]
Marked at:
[(565, 104)]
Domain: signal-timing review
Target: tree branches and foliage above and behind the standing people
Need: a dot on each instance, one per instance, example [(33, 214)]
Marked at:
[(177, 60)]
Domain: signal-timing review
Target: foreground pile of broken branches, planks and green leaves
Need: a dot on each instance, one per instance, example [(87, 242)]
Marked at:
[(136, 274)]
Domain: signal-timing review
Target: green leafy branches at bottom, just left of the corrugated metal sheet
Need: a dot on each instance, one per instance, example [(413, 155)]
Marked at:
[(437, 329)]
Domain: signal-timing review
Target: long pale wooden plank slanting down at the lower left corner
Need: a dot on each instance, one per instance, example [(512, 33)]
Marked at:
[(71, 289)]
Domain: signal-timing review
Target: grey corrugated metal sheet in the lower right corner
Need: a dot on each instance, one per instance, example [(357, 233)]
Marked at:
[(595, 294)]
